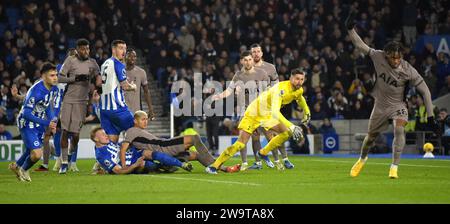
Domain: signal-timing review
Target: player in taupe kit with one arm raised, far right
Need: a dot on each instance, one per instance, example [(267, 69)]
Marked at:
[(393, 75)]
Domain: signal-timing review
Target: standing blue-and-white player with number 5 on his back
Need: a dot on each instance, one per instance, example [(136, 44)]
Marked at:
[(114, 113)]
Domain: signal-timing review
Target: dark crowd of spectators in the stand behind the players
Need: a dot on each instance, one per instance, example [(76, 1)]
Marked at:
[(181, 37)]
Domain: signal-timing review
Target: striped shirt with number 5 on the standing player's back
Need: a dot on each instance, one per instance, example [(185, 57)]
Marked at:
[(113, 72)]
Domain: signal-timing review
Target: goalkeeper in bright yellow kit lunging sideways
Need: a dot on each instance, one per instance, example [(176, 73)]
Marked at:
[(264, 111)]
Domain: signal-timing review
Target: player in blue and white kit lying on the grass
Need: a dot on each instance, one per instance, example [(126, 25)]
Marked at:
[(136, 162)]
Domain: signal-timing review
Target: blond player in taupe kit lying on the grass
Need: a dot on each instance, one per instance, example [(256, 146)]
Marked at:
[(178, 147)]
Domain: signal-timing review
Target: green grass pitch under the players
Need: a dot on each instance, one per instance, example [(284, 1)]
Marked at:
[(313, 180)]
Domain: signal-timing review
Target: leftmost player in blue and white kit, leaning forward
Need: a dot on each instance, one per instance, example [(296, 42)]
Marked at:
[(35, 116)]
